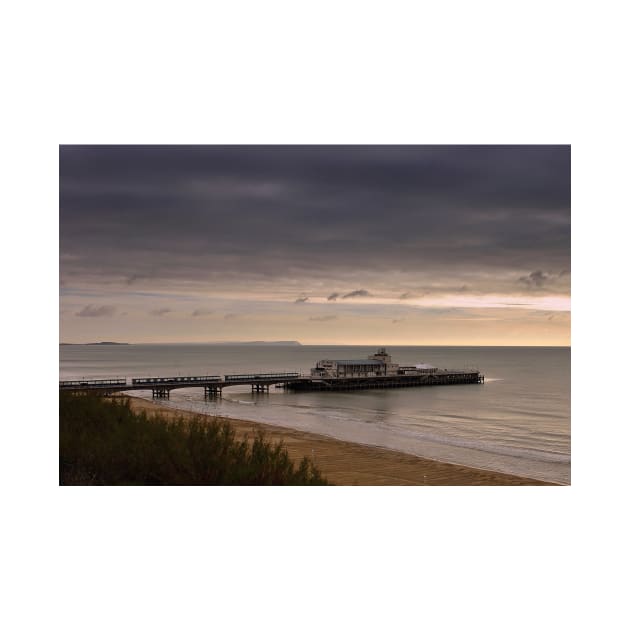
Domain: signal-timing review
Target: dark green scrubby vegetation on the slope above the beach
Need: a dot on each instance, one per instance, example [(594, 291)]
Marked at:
[(104, 442)]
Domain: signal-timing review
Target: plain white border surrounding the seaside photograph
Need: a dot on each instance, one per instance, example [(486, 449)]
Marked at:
[(327, 73)]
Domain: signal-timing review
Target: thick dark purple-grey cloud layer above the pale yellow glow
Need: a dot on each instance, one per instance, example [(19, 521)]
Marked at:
[(213, 214)]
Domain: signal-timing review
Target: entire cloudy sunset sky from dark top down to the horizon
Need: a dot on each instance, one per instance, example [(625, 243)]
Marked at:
[(323, 244)]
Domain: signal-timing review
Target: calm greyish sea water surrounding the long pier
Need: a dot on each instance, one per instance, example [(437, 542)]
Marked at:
[(517, 422)]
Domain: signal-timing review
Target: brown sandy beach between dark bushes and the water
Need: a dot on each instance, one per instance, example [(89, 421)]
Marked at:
[(349, 463)]
